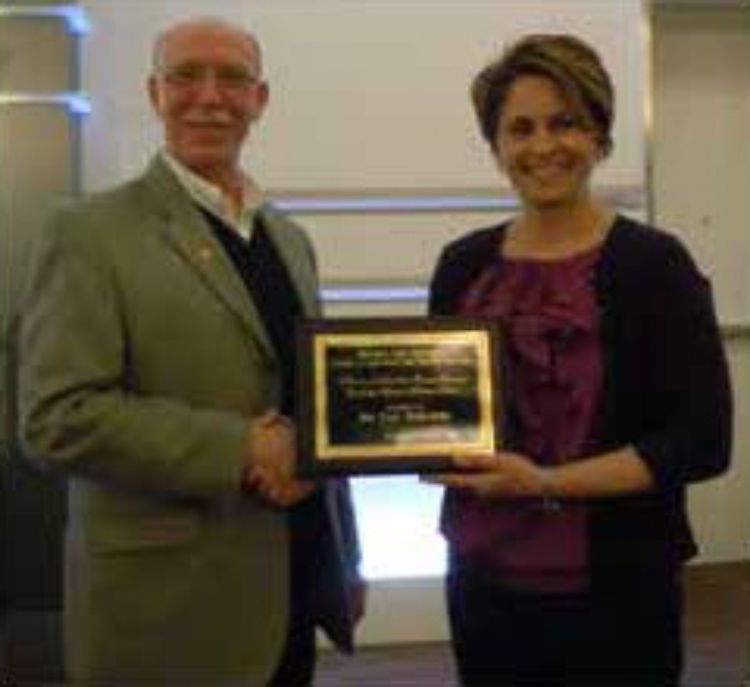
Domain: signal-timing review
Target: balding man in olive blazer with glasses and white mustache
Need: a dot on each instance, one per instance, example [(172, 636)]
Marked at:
[(157, 371)]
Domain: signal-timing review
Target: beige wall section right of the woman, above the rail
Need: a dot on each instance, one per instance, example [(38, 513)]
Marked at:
[(700, 147)]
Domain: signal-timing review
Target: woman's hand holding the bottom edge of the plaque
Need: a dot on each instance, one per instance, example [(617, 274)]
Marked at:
[(505, 474)]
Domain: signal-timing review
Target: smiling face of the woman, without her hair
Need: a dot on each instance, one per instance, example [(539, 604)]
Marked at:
[(543, 145)]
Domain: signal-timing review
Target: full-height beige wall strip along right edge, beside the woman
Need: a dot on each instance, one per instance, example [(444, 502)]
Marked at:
[(701, 177)]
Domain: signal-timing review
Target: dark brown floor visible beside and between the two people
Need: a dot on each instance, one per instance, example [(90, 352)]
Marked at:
[(717, 639)]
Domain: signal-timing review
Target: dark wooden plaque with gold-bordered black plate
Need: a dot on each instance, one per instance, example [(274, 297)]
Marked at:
[(395, 395)]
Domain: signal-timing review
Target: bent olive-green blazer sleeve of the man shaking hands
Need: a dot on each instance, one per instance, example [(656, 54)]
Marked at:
[(74, 408)]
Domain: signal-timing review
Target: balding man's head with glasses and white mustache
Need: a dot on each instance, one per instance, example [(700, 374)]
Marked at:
[(207, 90)]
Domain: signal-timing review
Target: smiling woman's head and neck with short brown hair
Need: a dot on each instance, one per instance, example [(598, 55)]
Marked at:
[(546, 113)]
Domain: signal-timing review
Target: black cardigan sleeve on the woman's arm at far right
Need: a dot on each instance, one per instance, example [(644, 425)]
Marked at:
[(687, 397)]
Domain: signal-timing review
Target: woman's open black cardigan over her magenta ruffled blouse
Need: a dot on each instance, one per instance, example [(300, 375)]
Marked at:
[(665, 388)]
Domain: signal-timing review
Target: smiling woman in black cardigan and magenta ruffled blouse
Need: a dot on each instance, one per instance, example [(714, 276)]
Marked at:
[(566, 548)]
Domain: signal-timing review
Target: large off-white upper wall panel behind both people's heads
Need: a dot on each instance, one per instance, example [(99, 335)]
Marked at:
[(365, 95)]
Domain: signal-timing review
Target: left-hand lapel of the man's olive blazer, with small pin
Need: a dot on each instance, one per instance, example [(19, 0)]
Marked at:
[(186, 231)]
